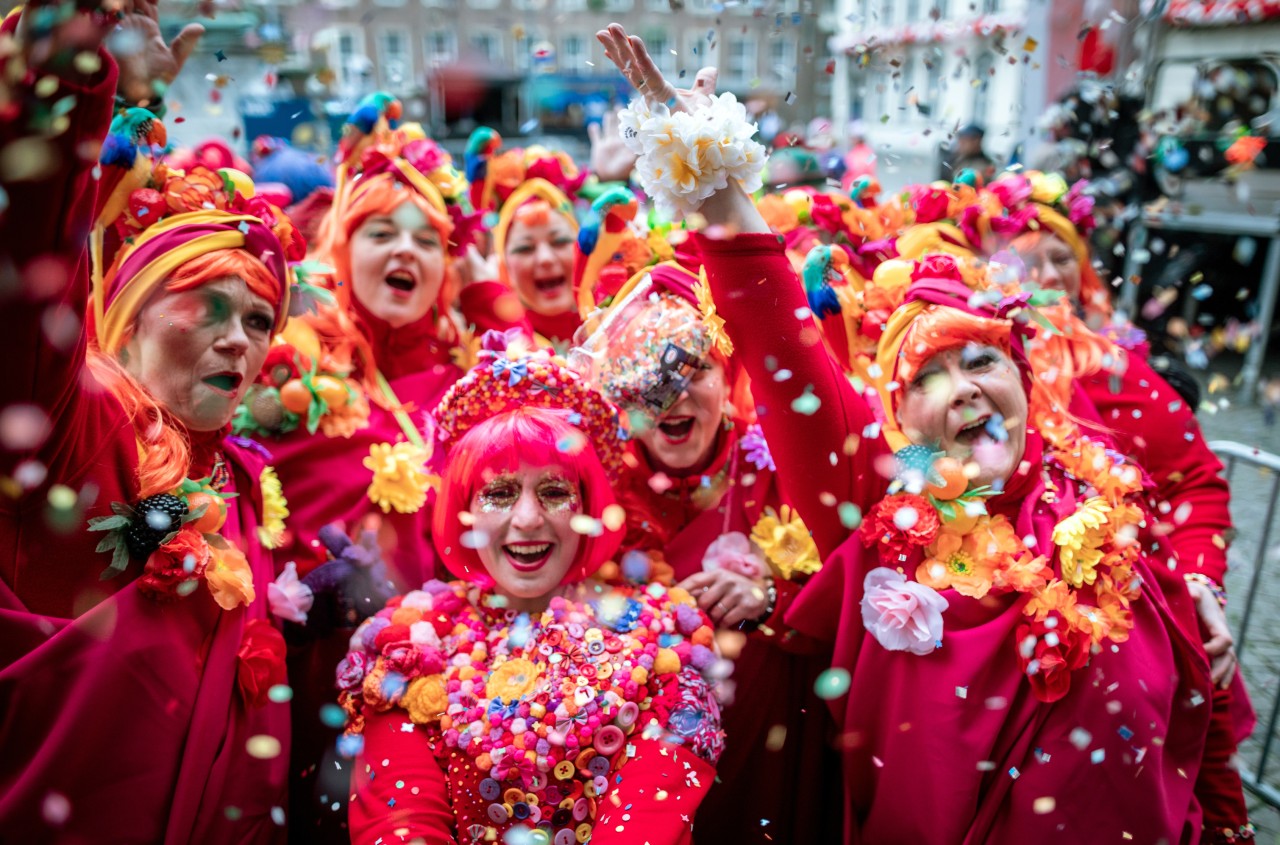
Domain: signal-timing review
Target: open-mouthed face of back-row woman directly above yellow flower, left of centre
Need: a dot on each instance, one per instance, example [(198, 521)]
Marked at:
[(397, 266)]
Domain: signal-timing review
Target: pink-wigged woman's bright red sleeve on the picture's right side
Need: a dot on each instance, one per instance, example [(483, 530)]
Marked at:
[(655, 797)]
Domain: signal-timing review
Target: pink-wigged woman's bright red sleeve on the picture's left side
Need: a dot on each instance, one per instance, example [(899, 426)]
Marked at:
[(383, 812)]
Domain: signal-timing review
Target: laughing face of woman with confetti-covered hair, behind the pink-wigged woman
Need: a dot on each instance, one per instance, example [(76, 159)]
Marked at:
[(684, 440)]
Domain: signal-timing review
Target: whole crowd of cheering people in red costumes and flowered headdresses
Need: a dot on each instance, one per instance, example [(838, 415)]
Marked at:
[(504, 504)]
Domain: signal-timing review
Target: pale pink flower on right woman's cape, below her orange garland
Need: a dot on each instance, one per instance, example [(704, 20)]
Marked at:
[(903, 616)]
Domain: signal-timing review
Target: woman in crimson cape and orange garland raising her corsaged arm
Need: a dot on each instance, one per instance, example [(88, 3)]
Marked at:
[(999, 596)]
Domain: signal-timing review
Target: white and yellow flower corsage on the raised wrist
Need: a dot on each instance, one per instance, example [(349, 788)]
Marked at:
[(687, 158)]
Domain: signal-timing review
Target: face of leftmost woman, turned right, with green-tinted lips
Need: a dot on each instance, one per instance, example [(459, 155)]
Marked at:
[(198, 351)]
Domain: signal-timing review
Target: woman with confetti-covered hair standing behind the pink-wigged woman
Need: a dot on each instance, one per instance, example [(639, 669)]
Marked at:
[(702, 478)]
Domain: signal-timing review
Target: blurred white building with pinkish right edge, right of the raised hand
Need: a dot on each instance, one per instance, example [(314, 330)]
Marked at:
[(916, 71)]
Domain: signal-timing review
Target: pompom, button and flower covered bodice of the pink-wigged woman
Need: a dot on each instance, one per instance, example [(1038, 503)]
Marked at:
[(546, 707)]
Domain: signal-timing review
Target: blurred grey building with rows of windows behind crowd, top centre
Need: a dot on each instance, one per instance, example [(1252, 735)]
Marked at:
[(536, 65)]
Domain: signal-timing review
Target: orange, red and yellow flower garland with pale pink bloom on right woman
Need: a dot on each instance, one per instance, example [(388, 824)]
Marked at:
[(979, 555)]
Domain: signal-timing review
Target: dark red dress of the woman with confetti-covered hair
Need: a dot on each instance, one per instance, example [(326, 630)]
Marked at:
[(774, 724)]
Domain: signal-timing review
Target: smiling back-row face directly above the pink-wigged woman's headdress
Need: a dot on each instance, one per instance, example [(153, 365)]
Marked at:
[(540, 255)]
